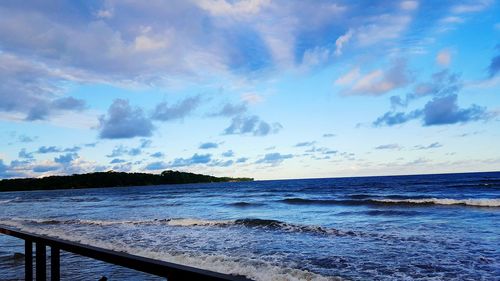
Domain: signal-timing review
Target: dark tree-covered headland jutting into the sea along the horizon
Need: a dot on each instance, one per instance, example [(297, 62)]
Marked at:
[(109, 179)]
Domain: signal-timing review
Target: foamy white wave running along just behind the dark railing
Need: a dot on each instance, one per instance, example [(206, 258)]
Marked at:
[(252, 268)]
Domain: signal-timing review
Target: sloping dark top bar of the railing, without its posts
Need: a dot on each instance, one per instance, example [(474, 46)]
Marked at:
[(169, 270)]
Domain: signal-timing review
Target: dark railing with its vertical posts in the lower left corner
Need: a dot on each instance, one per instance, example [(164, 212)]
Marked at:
[(171, 271)]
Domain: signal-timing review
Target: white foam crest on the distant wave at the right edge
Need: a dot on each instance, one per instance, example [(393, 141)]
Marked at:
[(468, 202)]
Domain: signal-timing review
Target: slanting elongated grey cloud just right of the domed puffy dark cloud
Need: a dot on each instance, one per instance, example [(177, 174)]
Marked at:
[(163, 112)]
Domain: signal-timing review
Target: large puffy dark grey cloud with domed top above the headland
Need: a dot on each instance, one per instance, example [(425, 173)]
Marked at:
[(123, 121)]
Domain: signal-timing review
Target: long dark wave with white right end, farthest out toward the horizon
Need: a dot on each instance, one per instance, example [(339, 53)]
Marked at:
[(483, 202)]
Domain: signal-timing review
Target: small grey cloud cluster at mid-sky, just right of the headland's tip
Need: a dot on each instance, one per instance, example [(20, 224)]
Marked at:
[(251, 125)]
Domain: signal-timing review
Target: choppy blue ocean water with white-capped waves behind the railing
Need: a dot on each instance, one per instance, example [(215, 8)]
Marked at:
[(431, 227)]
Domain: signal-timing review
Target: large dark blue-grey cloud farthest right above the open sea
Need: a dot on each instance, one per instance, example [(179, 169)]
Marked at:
[(444, 110)]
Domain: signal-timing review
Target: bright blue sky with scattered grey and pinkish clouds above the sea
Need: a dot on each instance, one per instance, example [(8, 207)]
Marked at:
[(269, 89)]
